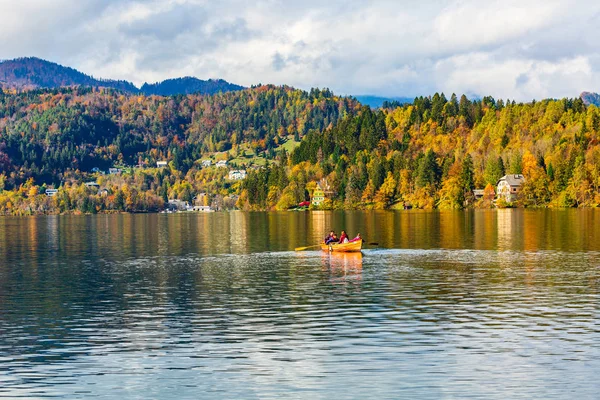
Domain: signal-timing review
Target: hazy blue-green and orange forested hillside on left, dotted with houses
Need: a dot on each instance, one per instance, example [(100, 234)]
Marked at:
[(59, 137)]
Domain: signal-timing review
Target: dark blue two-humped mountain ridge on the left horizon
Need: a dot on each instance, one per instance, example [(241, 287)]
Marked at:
[(35, 73)]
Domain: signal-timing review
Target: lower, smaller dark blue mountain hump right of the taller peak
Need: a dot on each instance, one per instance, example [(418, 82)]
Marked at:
[(188, 85)]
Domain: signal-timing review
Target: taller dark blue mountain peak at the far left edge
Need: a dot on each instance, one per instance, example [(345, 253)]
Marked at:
[(34, 73)]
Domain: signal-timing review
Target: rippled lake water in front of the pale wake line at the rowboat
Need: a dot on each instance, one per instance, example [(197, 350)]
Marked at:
[(414, 323)]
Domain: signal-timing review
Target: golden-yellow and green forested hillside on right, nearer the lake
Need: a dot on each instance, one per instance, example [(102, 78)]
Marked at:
[(435, 152)]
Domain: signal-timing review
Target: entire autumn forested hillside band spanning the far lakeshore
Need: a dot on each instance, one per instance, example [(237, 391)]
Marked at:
[(432, 153)]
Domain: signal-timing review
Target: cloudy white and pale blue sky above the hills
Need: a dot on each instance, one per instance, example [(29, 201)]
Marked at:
[(522, 50)]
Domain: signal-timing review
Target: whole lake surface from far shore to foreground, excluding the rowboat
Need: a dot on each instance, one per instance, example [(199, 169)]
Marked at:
[(481, 304)]
